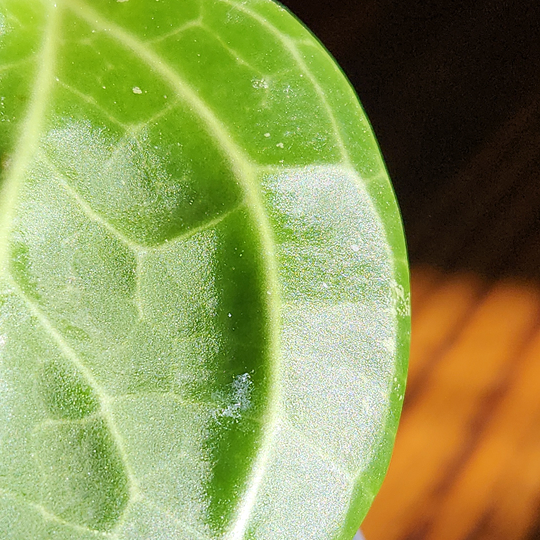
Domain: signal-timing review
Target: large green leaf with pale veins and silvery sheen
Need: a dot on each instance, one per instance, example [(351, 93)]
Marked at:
[(203, 283)]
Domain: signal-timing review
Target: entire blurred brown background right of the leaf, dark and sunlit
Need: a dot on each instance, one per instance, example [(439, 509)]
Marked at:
[(452, 89)]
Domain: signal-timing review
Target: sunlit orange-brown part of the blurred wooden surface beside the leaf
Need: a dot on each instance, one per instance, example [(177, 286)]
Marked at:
[(466, 464)]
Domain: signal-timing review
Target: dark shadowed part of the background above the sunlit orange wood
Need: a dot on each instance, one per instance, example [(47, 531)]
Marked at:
[(453, 92)]
